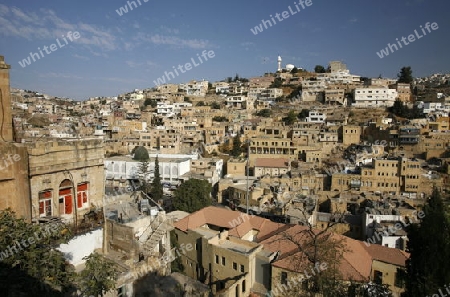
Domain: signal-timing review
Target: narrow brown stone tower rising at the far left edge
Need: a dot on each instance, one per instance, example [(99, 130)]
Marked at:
[(5, 103)]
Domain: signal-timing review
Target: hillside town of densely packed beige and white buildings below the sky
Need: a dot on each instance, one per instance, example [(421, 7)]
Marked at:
[(284, 184)]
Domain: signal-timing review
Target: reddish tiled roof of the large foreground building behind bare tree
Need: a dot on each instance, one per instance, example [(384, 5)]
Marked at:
[(355, 263)]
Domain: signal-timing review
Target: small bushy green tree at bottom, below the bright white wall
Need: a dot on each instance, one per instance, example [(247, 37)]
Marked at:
[(98, 277)]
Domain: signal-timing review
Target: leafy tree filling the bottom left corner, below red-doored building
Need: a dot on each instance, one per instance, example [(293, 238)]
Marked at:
[(30, 264)]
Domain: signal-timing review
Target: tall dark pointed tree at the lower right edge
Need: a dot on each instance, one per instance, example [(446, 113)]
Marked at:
[(429, 246)]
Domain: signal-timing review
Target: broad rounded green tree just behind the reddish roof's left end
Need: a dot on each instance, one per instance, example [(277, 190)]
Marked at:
[(192, 195)]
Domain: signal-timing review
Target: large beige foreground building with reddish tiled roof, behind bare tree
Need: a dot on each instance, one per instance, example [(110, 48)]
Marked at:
[(238, 254)]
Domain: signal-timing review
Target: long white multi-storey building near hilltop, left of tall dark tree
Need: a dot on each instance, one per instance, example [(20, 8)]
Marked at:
[(374, 97)]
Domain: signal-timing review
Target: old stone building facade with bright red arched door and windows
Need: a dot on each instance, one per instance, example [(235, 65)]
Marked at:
[(66, 178)]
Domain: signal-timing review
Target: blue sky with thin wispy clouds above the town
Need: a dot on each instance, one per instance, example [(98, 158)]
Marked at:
[(116, 54)]
